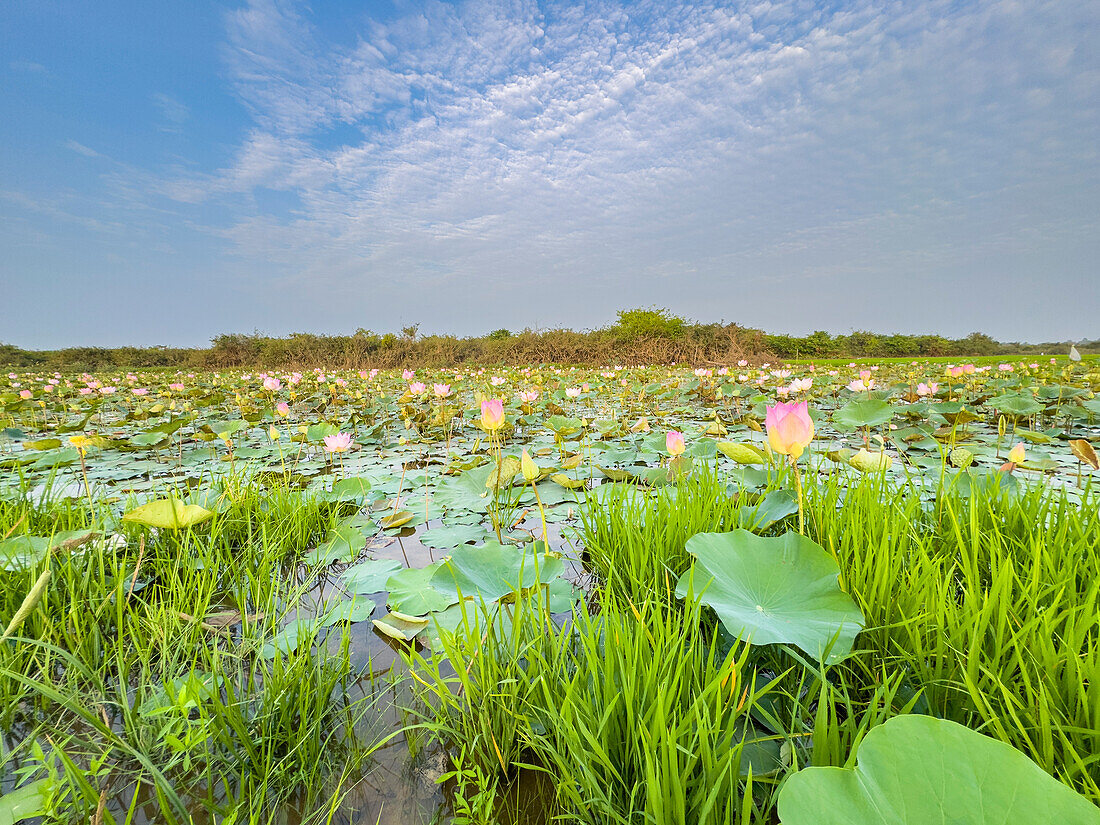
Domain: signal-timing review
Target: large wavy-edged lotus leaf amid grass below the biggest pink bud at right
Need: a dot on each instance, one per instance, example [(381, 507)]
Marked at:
[(782, 590)]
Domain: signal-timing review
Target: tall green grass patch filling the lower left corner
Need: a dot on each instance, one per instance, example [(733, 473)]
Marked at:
[(123, 690)]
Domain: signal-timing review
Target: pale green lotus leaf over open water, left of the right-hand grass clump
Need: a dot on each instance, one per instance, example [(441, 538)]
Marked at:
[(493, 571)]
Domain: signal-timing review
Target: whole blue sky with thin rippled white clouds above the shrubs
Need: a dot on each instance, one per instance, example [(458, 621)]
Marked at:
[(170, 172)]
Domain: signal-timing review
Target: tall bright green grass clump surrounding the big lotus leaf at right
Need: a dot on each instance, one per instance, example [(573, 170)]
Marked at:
[(981, 606)]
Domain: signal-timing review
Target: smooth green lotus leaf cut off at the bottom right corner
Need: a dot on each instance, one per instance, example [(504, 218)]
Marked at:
[(919, 771)]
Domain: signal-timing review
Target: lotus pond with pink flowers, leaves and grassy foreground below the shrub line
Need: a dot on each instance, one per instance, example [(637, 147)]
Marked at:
[(553, 593)]
